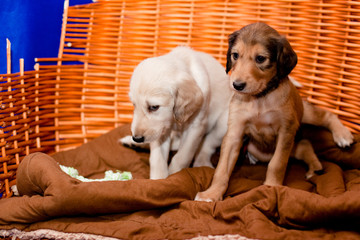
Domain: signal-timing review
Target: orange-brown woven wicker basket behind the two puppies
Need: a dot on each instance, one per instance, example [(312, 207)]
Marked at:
[(83, 93)]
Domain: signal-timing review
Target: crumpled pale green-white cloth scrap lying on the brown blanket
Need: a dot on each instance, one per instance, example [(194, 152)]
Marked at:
[(109, 175)]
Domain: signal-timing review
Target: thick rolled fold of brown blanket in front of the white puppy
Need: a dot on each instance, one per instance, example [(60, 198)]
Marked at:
[(65, 196)]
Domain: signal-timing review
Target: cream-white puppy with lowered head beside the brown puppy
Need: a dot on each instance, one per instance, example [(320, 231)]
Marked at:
[(180, 97)]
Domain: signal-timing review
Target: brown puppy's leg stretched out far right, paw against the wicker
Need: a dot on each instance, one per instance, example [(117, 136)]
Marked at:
[(320, 117)]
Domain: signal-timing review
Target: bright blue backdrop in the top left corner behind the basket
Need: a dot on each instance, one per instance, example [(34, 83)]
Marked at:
[(34, 29)]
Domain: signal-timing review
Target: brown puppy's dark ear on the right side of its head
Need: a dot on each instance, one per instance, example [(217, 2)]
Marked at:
[(286, 59)]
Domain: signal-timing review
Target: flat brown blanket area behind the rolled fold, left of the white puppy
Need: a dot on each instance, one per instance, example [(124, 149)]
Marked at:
[(103, 153)]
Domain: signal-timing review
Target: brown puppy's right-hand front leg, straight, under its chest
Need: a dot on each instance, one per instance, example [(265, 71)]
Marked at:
[(277, 166)]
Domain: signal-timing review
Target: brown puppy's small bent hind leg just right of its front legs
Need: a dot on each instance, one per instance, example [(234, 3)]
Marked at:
[(303, 150)]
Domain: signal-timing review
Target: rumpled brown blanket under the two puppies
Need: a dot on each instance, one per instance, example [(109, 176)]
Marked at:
[(327, 206)]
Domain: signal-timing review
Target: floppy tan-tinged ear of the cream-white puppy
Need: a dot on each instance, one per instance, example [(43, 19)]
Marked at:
[(188, 100)]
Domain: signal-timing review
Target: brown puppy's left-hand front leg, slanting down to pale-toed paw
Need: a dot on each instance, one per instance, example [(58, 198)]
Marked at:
[(229, 153)]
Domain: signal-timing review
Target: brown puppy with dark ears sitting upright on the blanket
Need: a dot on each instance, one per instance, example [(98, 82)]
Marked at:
[(267, 108)]
